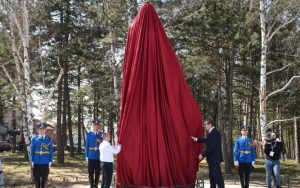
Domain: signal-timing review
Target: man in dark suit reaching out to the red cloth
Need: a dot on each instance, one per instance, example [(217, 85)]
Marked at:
[(213, 153)]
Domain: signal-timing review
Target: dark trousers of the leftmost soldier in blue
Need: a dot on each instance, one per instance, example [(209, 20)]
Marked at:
[(40, 174)]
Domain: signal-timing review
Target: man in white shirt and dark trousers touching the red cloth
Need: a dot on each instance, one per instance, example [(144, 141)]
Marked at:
[(107, 158)]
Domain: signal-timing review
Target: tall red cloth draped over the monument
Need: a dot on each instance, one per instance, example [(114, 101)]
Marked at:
[(158, 112)]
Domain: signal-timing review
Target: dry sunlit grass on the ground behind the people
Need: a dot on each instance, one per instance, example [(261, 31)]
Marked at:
[(75, 170)]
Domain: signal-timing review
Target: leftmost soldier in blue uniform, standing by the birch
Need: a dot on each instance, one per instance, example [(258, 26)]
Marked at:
[(41, 155)]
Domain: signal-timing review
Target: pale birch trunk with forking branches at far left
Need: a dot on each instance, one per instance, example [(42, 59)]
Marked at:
[(23, 88)]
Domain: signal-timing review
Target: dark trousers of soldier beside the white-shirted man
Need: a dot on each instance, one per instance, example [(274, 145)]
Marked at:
[(94, 172)]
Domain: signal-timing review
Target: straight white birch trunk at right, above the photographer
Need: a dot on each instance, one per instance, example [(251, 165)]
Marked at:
[(263, 70)]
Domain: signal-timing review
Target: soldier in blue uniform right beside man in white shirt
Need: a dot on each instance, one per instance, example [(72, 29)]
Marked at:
[(92, 153)]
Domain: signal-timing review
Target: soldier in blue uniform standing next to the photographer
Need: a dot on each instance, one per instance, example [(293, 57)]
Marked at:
[(244, 156)]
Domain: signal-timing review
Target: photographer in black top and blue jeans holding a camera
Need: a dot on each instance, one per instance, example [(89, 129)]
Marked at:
[(273, 148)]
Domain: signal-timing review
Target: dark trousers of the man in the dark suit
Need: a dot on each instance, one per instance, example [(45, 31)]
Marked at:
[(215, 175)]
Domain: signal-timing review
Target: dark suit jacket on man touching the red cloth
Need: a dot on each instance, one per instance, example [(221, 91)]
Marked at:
[(213, 149)]
